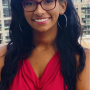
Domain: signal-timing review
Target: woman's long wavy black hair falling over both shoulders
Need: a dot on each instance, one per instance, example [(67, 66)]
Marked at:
[(21, 45)]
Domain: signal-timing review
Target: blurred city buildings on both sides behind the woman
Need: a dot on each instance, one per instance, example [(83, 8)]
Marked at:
[(82, 7)]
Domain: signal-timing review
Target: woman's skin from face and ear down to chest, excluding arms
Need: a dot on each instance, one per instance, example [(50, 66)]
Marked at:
[(44, 36)]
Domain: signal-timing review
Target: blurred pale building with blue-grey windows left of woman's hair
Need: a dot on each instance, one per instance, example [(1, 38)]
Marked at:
[(4, 20)]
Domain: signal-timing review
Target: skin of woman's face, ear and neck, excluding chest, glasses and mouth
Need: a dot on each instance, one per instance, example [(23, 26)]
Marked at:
[(45, 34)]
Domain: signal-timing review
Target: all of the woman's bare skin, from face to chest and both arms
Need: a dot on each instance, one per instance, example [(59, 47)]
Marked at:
[(44, 39)]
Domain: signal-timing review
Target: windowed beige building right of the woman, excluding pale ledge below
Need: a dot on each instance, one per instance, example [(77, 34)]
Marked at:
[(83, 10)]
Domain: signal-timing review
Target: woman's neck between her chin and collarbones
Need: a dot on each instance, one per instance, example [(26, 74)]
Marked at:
[(45, 39)]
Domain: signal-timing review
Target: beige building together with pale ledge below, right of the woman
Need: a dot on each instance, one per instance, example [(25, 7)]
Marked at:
[(83, 10)]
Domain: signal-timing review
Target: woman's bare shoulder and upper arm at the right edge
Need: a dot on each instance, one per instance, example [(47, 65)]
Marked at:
[(83, 82)]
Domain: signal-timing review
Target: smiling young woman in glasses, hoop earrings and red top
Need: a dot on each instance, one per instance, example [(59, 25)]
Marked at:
[(44, 53)]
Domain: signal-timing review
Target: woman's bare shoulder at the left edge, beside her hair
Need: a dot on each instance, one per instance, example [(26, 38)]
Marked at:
[(3, 50)]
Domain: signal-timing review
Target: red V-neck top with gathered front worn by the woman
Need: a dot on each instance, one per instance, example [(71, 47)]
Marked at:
[(51, 78)]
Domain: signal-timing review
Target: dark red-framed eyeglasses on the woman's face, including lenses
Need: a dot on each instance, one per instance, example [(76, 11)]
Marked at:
[(30, 5)]
